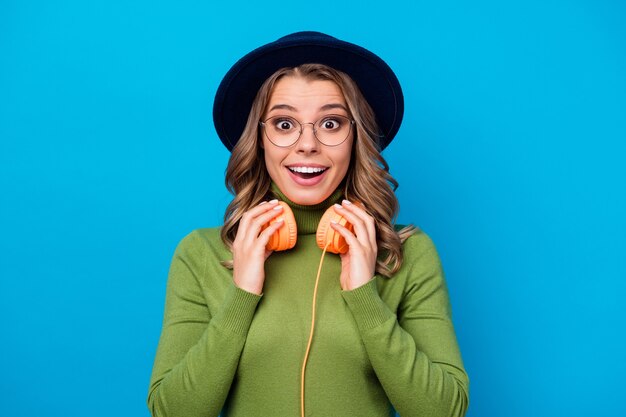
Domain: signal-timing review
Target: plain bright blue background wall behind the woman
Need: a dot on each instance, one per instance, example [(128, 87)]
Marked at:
[(511, 157)]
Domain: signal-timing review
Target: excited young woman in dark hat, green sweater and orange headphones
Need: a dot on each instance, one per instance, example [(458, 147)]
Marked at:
[(251, 331)]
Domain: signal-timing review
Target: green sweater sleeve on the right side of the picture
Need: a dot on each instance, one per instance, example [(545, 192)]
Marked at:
[(415, 354)]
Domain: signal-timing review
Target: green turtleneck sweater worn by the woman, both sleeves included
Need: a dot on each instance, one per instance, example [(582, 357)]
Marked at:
[(386, 345)]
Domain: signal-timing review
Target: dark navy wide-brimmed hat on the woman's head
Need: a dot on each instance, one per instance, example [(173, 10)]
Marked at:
[(375, 79)]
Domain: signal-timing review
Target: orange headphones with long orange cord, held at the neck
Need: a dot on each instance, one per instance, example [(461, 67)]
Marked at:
[(327, 239)]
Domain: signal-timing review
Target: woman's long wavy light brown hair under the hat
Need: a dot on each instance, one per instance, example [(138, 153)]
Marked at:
[(367, 180)]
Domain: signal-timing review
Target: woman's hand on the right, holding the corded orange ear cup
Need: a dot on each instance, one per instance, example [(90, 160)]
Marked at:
[(358, 265)]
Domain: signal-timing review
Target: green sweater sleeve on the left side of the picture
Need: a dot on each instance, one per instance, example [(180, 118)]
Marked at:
[(198, 352)]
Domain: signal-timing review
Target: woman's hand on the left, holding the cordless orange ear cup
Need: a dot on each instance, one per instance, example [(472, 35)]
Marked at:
[(249, 253)]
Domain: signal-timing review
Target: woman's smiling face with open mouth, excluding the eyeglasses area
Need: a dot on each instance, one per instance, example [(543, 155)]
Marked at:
[(307, 101)]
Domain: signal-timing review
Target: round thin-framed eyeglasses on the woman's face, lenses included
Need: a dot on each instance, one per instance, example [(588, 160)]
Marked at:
[(330, 130)]
